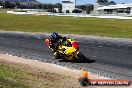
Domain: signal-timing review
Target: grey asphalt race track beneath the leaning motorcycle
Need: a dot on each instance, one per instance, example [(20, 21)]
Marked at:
[(110, 58)]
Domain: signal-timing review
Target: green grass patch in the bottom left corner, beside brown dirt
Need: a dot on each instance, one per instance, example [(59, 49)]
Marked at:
[(12, 78)]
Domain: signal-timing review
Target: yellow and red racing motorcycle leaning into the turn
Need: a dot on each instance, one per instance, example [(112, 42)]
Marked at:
[(68, 50)]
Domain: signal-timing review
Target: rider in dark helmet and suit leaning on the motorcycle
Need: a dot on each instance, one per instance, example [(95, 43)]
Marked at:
[(54, 41)]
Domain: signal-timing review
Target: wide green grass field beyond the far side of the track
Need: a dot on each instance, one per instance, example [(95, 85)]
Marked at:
[(70, 25)]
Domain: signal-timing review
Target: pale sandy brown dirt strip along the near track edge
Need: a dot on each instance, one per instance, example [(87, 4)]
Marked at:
[(48, 75)]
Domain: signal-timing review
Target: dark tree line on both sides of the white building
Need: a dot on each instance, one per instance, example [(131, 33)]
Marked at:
[(48, 7)]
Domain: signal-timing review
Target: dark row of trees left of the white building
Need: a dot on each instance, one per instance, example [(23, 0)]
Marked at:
[(28, 5)]
